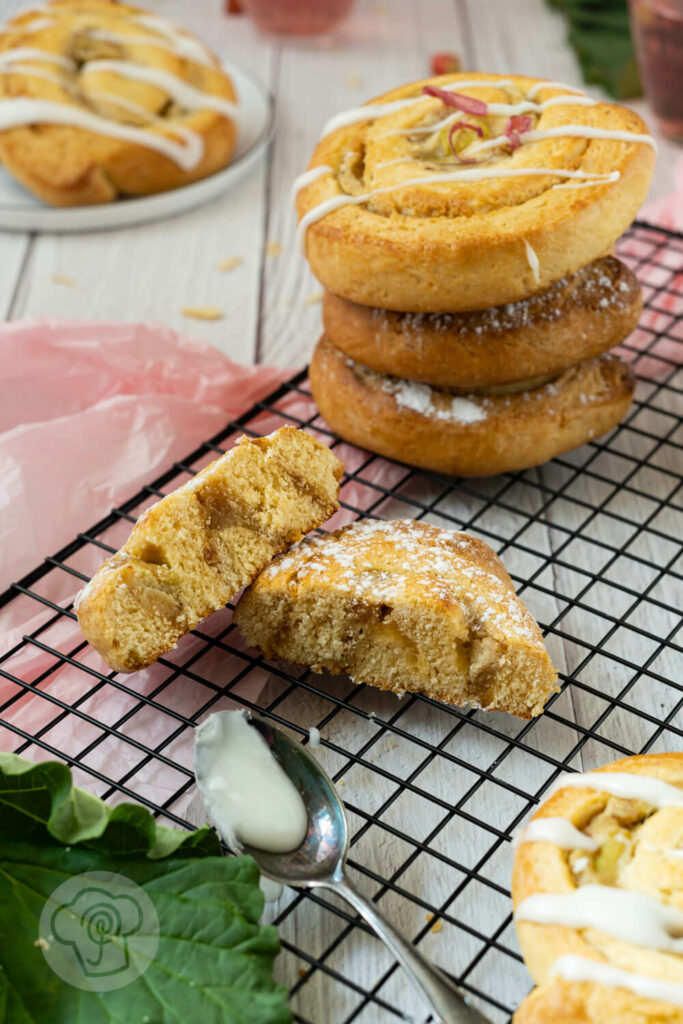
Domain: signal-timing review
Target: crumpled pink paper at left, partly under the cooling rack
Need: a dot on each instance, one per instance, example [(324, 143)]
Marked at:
[(89, 414)]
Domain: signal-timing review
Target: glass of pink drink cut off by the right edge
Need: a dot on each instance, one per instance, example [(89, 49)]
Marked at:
[(658, 30)]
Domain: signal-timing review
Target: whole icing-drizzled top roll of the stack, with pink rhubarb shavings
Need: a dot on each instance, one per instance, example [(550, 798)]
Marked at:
[(401, 223)]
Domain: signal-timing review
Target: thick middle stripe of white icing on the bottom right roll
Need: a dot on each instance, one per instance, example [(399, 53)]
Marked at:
[(627, 916)]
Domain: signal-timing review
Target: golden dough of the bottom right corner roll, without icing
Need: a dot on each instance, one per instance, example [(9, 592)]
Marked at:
[(633, 841)]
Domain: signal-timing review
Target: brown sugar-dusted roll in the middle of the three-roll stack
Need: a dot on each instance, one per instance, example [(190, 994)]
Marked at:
[(576, 319)]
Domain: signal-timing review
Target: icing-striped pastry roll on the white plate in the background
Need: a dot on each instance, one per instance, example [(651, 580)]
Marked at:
[(162, 109)]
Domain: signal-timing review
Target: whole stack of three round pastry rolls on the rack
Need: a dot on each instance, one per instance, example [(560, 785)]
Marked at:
[(462, 228)]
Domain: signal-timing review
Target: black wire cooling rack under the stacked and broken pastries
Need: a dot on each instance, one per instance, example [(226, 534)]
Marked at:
[(435, 793)]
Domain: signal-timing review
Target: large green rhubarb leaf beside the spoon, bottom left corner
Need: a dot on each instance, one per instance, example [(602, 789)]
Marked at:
[(214, 962)]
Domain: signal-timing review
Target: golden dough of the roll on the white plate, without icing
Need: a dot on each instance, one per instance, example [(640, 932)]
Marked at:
[(68, 165)]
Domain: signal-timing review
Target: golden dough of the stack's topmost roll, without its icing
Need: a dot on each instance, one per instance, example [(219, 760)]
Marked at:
[(459, 246)]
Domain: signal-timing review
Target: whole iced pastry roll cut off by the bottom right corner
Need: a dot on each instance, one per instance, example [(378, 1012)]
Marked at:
[(605, 941)]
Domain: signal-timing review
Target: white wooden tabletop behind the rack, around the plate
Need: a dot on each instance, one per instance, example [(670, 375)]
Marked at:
[(270, 303)]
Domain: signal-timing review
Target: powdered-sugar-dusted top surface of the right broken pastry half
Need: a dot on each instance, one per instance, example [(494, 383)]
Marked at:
[(386, 563)]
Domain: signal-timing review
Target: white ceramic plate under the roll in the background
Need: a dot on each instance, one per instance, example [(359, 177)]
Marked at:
[(20, 211)]
